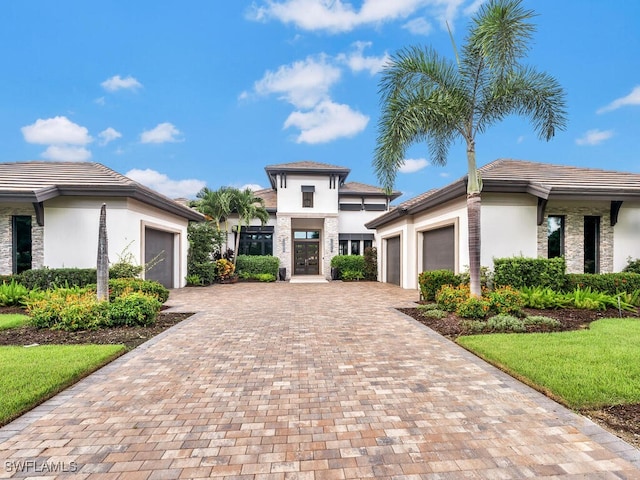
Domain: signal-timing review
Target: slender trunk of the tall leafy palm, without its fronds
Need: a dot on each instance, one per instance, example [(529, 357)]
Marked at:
[(474, 187)]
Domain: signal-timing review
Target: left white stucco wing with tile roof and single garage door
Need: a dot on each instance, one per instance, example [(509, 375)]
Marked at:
[(49, 216)]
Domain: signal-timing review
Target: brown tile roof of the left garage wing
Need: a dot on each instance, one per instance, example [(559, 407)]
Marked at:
[(39, 181)]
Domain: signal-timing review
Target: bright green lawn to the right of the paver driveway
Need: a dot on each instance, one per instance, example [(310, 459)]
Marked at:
[(582, 369)]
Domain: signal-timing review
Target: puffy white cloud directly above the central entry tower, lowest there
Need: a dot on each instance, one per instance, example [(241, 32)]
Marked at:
[(327, 121)]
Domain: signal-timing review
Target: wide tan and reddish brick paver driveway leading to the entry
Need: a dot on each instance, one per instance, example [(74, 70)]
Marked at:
[(305, 381)]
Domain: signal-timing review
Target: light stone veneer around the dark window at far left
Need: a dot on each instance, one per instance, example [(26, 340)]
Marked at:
[(6, 238)]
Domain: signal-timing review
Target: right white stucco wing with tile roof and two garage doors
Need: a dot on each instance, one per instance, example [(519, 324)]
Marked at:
[(589, 216)]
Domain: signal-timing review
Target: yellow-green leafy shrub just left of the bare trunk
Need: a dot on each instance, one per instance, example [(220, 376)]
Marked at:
[(68, 309)]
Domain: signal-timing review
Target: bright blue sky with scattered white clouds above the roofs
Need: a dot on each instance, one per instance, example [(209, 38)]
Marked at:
[(179, 95)]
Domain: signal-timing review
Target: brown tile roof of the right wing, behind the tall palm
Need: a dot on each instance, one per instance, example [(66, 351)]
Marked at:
[(542, 180)]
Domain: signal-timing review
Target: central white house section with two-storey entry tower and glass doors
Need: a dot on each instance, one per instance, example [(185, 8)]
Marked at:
[(314, 215)]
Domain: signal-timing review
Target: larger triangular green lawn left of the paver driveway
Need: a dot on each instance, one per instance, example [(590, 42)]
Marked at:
[(32, 375)]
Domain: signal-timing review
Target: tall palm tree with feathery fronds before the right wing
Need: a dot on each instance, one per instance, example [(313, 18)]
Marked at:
[(426, 97)]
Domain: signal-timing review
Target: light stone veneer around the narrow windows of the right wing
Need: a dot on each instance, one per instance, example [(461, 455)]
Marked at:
[(574, 236)]
